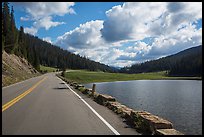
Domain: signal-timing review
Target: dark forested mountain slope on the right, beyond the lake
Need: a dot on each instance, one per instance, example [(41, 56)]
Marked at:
[(185, 63)]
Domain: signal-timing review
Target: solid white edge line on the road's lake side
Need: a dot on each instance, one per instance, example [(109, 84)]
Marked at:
[(100, 117)]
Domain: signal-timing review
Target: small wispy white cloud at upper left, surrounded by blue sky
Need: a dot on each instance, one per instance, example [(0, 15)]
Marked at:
[(42, 12)]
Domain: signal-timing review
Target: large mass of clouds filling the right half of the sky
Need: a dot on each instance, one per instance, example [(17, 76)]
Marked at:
[(135, 21)]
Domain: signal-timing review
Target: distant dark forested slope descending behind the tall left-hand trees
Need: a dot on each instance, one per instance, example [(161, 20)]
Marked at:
[(53, 56)]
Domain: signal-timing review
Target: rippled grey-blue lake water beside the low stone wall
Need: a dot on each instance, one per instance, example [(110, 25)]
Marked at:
[(179, 101)]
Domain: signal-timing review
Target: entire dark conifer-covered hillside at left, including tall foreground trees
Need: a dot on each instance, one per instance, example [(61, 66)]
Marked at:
[(37, 51)]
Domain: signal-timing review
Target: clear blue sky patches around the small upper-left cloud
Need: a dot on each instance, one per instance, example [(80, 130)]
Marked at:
[(85, 11)]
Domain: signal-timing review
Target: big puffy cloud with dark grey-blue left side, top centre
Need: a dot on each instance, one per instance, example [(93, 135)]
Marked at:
[(129, 20)]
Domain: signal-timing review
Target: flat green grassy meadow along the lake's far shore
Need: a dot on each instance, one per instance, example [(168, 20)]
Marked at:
[(82, 76)]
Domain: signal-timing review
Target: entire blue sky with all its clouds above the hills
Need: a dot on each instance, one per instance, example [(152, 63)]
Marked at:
[(114, 33)]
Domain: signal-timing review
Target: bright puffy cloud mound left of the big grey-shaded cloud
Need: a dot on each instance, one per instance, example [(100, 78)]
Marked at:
[(85, 36)]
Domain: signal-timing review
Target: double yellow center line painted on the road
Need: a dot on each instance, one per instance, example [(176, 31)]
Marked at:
[(12, 102)]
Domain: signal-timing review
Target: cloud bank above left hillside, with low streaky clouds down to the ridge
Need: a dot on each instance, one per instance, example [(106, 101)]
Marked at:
[(86, 40)]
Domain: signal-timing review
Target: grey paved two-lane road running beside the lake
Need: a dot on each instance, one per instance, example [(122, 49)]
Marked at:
[(45, 105)]
